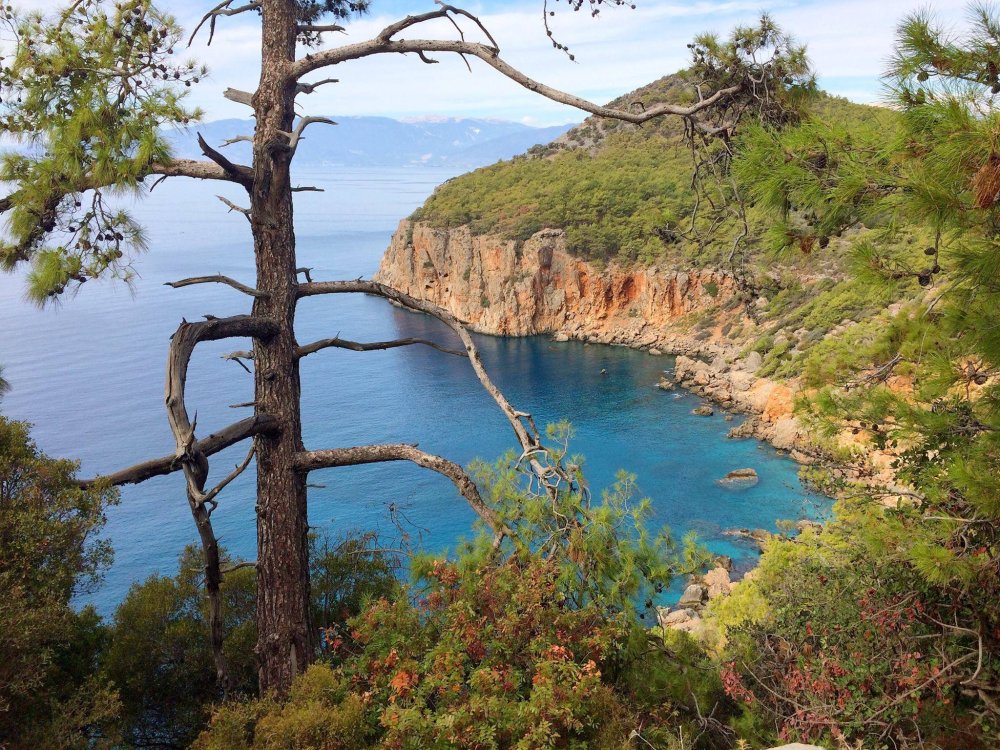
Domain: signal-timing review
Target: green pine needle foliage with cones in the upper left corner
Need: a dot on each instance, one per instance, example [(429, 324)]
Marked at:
[(85, 95)]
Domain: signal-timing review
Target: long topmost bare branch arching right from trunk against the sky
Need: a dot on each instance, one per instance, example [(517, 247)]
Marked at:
[(383, 44)]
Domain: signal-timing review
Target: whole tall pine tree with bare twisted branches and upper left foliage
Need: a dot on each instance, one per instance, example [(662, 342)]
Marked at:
[(91, 86)]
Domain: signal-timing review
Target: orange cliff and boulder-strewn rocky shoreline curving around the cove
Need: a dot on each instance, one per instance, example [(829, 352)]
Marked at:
[(532, 287)]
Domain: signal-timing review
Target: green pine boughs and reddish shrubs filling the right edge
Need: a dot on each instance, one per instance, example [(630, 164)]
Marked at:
[(901, 641)]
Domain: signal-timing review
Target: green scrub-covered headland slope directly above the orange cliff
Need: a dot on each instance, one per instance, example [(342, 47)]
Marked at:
[(621, 192)]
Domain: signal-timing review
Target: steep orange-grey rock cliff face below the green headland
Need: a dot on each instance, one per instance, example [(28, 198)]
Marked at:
[(514, 288)]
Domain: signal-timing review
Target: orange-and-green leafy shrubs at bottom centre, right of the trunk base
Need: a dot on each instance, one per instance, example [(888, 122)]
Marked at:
[(533, 645)]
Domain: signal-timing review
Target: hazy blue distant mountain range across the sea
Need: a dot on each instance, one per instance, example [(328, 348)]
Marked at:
[(384, 142)]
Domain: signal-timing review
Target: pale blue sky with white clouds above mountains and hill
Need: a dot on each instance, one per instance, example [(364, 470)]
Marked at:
[(622, 49)]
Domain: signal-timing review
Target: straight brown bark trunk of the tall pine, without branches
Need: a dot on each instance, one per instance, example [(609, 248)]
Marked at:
[(284, 642)]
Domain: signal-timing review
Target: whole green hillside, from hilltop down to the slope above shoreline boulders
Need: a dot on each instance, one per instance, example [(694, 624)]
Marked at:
[(623, 193)]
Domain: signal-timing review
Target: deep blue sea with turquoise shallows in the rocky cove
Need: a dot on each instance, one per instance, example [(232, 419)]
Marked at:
[(89, 375)]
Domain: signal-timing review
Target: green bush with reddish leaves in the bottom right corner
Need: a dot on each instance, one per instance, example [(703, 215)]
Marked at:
[(840, 638)]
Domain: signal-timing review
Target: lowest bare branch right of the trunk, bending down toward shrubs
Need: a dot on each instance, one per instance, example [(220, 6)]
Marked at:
[(368, 454)]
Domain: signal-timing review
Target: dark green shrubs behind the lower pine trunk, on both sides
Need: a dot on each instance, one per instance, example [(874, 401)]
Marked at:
[(159, 656)]
